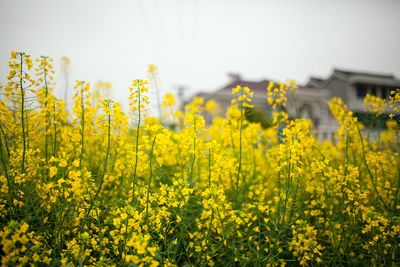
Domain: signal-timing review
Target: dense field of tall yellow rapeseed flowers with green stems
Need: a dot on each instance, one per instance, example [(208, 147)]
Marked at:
[(100, 186)]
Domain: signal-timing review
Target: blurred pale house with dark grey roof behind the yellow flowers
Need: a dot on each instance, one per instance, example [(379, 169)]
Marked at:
[(311, 100)]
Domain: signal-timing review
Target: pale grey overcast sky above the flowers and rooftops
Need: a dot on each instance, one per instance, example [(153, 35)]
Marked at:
[(195, 43)]
